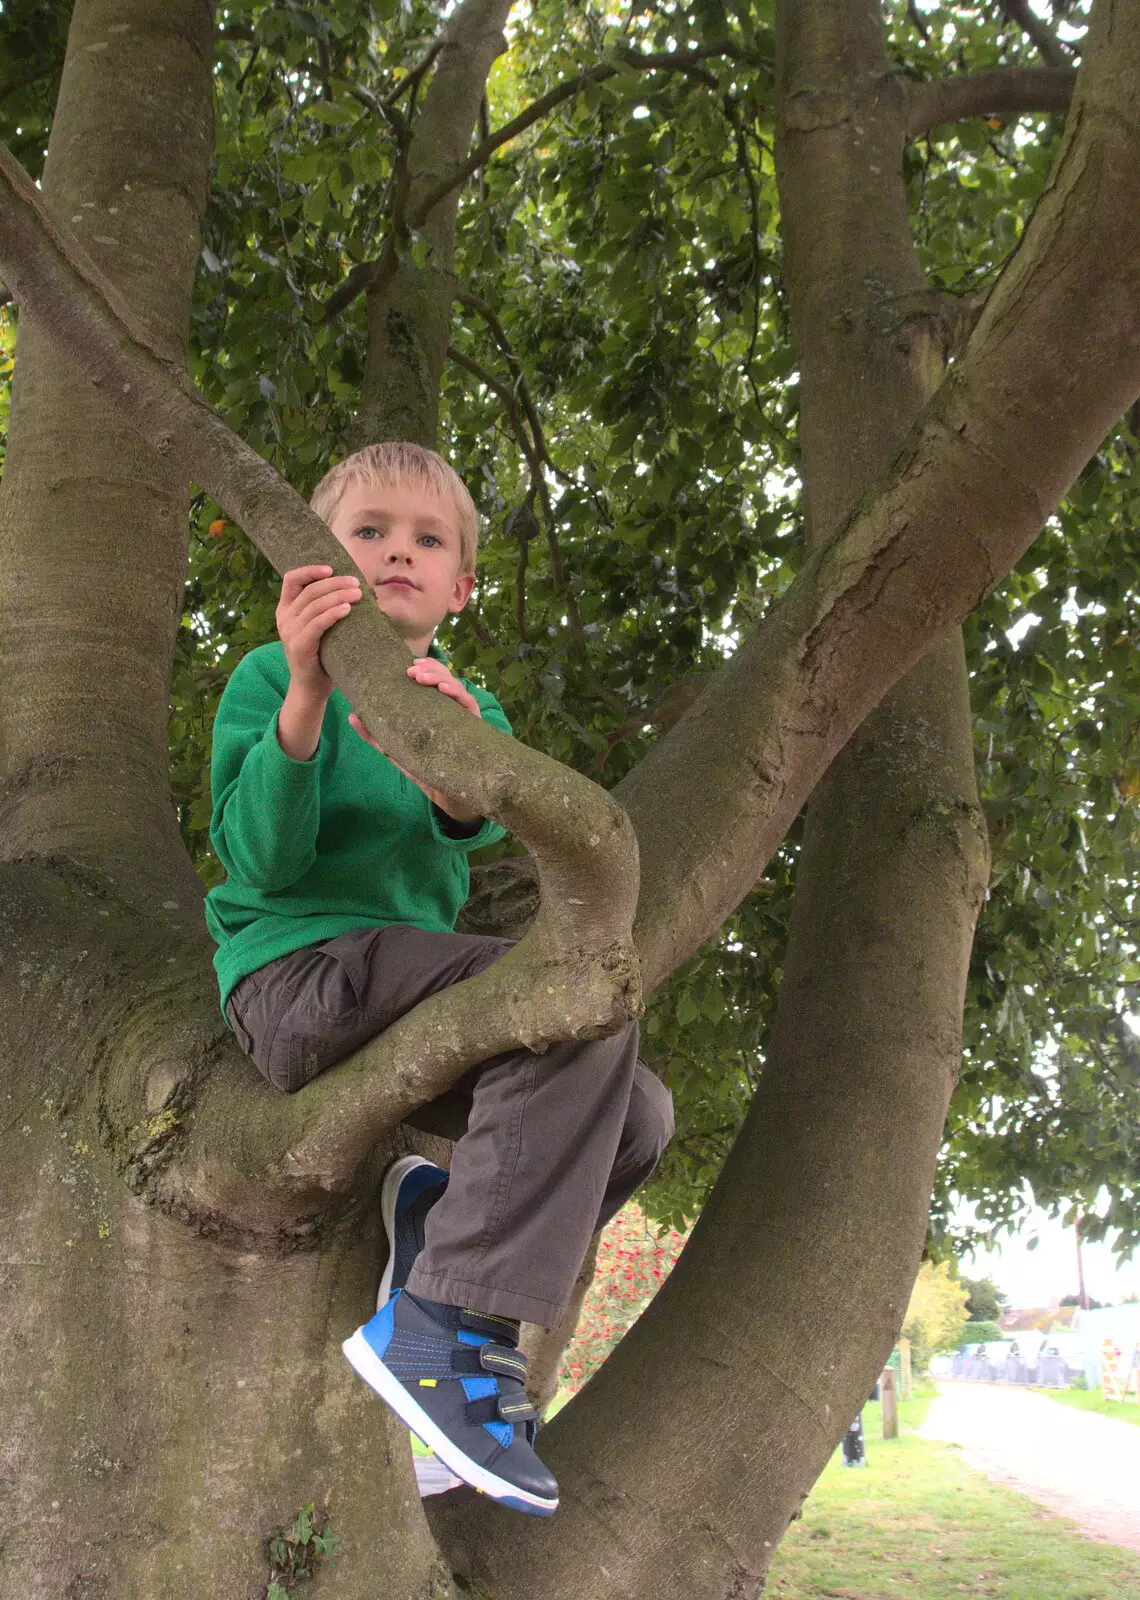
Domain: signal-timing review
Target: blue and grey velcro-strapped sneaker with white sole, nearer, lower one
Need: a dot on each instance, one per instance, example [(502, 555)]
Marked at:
[(460, 1391)]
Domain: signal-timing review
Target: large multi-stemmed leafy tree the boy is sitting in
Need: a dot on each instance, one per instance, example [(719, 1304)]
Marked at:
[(183, 1249)]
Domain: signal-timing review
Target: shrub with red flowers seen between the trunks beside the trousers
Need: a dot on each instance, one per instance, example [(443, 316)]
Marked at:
[(633, 1263)]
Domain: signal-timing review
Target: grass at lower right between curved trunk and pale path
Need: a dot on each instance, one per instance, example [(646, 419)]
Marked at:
[(917, 1521)]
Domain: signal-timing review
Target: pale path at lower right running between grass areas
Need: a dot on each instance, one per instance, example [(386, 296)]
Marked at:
[(1075, 1463)]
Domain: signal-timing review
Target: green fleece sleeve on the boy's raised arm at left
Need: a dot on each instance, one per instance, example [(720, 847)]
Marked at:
[(267, 807)]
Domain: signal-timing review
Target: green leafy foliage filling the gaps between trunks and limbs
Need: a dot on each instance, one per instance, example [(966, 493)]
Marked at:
[(630, 249)]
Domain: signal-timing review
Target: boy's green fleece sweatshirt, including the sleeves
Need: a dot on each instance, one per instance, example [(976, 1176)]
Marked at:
[(315, 849)]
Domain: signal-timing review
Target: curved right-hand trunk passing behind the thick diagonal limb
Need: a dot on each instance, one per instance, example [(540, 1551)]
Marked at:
[(793, 1287)]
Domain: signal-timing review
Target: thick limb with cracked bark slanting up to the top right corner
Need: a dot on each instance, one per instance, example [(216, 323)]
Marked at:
[(1048, 372)]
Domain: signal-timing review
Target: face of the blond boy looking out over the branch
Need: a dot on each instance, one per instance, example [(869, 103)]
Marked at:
[(407, 546)]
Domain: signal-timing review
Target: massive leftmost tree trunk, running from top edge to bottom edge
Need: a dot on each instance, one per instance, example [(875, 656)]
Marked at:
[(172, 1399)]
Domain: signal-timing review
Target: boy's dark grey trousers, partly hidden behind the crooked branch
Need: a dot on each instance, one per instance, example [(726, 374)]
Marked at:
[(548, 1146)]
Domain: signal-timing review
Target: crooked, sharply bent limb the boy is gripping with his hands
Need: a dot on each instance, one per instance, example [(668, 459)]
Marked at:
[(576, 974)]
